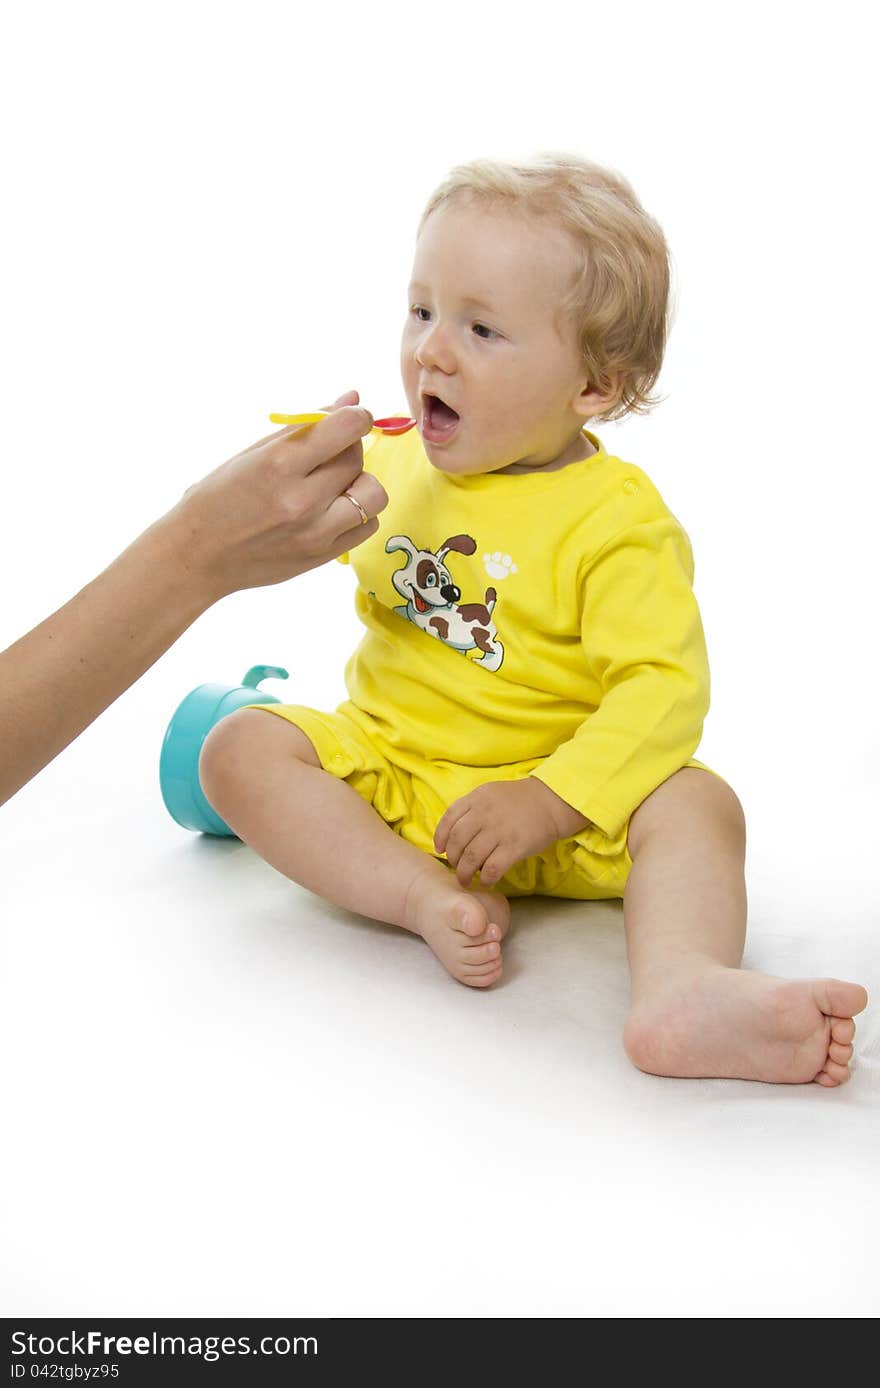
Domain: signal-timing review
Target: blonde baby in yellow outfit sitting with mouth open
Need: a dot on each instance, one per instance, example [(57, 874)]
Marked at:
[(532, 684)]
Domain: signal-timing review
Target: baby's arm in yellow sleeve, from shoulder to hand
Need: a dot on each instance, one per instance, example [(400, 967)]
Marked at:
[(645, 648)]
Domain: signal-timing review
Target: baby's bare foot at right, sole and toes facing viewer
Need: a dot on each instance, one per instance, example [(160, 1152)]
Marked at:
[(738, 1025)]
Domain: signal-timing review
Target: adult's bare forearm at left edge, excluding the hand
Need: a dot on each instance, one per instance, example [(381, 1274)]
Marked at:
[(59, 678)]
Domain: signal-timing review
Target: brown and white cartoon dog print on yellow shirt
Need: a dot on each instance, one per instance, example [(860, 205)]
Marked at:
[(432, 599)]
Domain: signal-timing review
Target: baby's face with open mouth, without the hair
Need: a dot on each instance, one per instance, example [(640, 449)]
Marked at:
[(481, 335)]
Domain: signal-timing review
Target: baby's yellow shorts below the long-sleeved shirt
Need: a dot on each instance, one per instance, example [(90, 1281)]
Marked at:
[(412, 795)]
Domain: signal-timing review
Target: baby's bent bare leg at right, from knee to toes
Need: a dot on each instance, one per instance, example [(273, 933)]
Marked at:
[(695, 1011)]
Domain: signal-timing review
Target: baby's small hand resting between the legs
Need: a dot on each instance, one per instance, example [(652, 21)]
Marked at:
[(500, 824)]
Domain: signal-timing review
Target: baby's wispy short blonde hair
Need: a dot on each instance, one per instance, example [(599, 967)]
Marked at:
[(620, 298)]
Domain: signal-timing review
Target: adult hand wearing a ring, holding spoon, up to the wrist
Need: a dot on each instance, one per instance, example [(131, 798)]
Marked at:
[(280, 509)]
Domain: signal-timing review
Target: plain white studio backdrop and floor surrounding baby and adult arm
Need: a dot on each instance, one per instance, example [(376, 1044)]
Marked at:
[(227, 1097)]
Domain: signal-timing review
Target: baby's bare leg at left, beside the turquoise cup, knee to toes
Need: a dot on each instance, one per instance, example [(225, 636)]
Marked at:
[(266, 781)]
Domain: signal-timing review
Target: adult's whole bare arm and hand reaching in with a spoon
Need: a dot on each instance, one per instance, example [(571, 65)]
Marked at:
[(269, 514)]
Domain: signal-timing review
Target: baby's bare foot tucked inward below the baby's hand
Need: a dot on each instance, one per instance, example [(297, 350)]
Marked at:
[(463, 928)]
